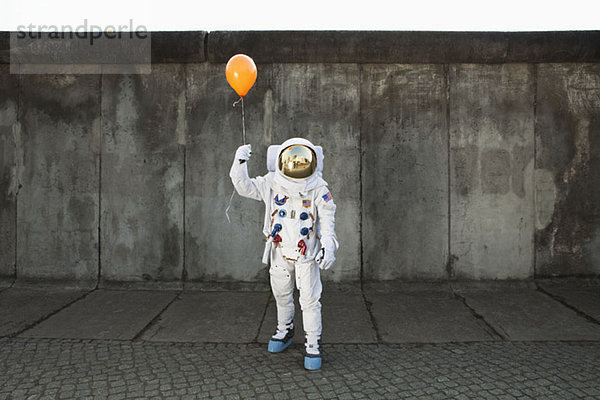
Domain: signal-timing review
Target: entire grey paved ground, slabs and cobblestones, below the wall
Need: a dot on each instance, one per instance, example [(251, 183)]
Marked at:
[(470, 340)]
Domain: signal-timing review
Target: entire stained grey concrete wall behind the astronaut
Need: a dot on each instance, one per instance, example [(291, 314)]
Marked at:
[(481, 162)]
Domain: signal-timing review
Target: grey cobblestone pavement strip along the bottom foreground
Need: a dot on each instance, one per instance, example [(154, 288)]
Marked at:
[(66, 369)]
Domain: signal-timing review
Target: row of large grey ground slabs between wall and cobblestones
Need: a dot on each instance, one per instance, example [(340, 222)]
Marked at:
[(379, 313)]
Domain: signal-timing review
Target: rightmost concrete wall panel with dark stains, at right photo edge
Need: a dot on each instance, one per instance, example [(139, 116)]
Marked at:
[(568, 170)]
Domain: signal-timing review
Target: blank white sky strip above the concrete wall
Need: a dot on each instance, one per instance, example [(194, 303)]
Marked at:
[(422, 15)]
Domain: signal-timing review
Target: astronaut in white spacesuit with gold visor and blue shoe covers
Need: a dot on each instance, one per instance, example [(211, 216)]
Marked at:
[(300, 236)]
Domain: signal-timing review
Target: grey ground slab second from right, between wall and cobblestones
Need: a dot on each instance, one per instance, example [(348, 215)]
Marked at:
[(529, 315)]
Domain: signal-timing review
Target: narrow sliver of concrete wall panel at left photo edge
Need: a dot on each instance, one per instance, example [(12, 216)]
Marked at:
[(8, 170)]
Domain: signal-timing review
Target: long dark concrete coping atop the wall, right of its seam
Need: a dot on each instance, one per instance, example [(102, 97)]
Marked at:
[(407, 47)]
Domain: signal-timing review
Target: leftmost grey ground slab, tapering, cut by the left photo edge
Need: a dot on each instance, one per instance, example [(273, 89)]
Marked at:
[(21, 307)]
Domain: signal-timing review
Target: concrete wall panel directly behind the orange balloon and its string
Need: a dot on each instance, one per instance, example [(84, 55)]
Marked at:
[(215, 249)]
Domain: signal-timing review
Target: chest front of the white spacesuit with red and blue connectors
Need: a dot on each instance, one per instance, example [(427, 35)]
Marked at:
[(296, 217)]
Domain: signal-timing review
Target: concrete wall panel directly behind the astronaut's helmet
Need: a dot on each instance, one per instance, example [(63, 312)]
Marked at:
[(321, 102)]
